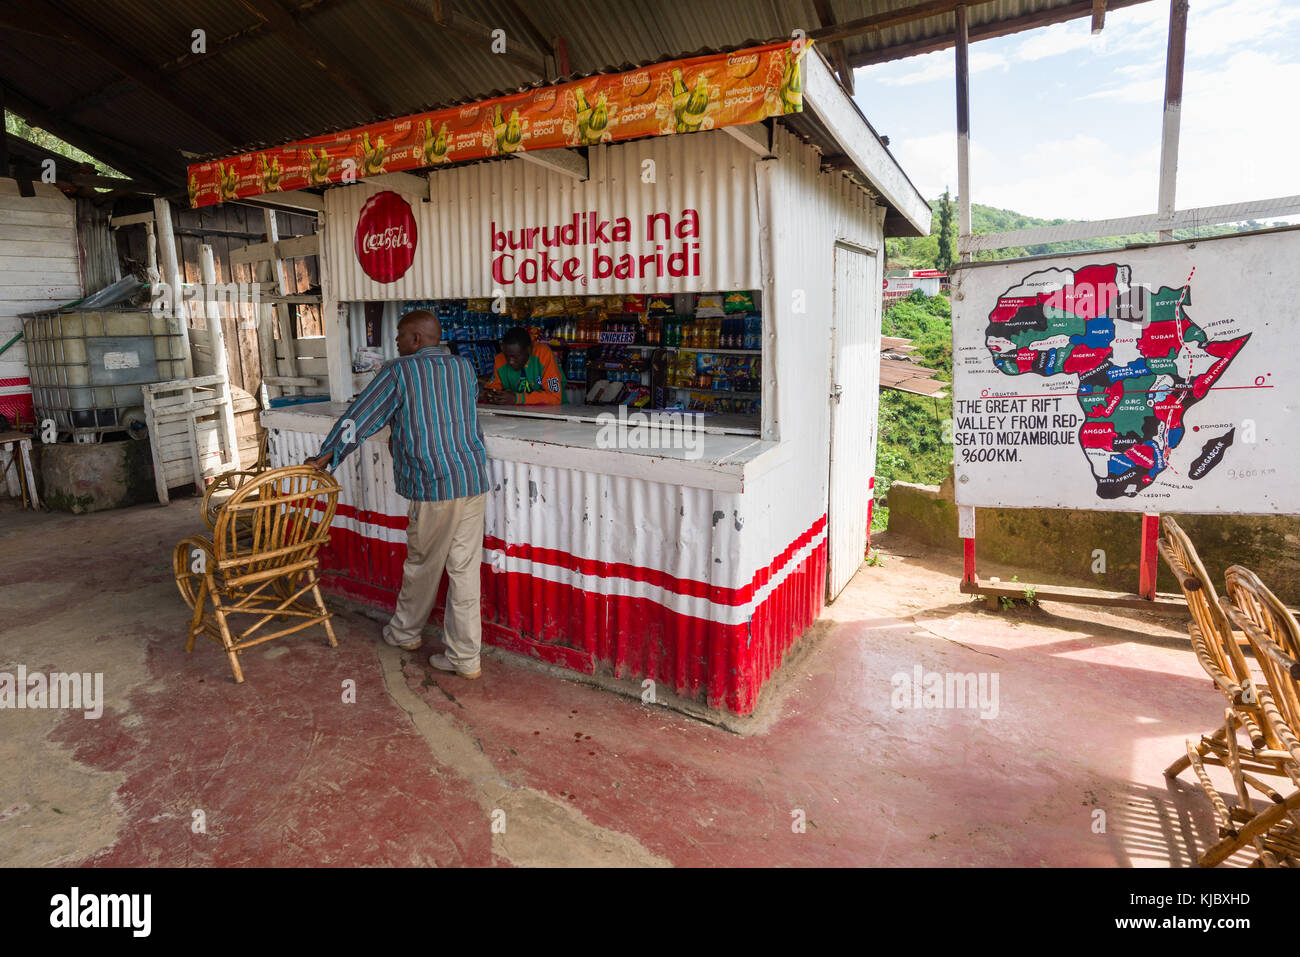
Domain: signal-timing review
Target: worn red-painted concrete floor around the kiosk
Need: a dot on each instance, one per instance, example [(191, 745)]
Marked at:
[(522, 768)]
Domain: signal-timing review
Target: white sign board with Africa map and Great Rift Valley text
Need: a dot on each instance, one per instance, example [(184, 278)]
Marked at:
[(1160, 379)]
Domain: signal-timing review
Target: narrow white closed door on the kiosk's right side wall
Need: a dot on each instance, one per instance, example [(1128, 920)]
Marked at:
[(855, 387)]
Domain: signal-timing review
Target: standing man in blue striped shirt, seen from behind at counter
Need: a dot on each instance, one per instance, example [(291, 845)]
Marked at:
[(427, 399)]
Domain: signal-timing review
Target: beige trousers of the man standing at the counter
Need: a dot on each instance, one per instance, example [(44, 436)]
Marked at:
[(444, 535)]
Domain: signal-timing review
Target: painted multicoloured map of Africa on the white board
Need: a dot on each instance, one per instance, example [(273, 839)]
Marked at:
[(1139, 360)]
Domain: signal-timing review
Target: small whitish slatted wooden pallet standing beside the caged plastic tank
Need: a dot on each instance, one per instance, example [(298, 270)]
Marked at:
[(192, 432)]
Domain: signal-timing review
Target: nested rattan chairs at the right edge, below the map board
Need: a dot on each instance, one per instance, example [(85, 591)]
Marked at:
[(1264, 820)]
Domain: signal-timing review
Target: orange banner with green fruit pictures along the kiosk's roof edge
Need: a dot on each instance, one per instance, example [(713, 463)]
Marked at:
[(678, 97)]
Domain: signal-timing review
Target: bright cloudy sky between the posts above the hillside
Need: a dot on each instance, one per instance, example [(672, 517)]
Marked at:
[(1068, 124)]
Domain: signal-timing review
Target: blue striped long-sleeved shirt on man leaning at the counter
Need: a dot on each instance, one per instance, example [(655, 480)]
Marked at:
[(428, 401)]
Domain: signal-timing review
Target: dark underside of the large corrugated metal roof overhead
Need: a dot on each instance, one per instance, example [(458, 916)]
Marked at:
[(258, 88)]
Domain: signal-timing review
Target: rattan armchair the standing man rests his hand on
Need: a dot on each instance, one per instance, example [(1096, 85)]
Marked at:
[(261, 562)]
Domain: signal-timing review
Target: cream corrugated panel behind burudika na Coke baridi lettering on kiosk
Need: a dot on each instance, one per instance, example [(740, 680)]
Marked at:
[(708, 172)]
